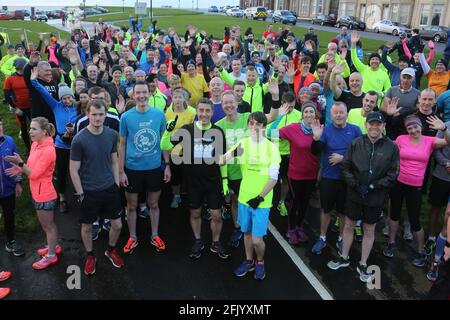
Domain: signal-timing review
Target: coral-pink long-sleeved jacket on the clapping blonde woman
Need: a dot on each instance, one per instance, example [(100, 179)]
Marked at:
[(42, 165)]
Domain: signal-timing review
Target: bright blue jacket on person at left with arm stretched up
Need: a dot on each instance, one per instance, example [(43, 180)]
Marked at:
[(63, 114)]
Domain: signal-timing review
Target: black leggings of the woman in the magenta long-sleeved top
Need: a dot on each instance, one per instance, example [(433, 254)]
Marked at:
[(297, 200)]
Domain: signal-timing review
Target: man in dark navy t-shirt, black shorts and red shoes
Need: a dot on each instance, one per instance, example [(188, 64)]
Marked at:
[(94, 170)]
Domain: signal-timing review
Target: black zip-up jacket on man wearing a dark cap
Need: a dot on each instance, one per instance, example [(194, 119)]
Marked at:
[(368, 163)]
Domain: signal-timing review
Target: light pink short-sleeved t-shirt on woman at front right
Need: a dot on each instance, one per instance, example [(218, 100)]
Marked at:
[(414, 159)]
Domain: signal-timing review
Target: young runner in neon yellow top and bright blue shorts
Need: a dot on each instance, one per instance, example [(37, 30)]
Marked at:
[(260, 163)]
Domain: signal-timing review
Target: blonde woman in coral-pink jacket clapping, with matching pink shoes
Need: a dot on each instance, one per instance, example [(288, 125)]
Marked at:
[(39, 169)]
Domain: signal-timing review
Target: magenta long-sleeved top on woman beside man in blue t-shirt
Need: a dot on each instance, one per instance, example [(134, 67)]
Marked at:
[(303, 164)]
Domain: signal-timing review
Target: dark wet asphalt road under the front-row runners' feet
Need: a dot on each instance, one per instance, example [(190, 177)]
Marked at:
[(172, 275)]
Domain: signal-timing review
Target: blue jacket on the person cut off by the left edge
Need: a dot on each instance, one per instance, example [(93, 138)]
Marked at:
[(7, 183)]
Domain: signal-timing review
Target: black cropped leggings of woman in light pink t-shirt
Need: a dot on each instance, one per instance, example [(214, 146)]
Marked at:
[(413, 198)]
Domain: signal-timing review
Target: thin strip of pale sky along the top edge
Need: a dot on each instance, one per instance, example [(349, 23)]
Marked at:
[(129, 3)]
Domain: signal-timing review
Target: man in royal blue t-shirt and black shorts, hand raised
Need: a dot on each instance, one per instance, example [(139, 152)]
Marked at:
[(333, 141)]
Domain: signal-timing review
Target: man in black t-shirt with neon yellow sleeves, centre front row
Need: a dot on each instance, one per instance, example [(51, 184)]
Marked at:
[(202, 143)]
